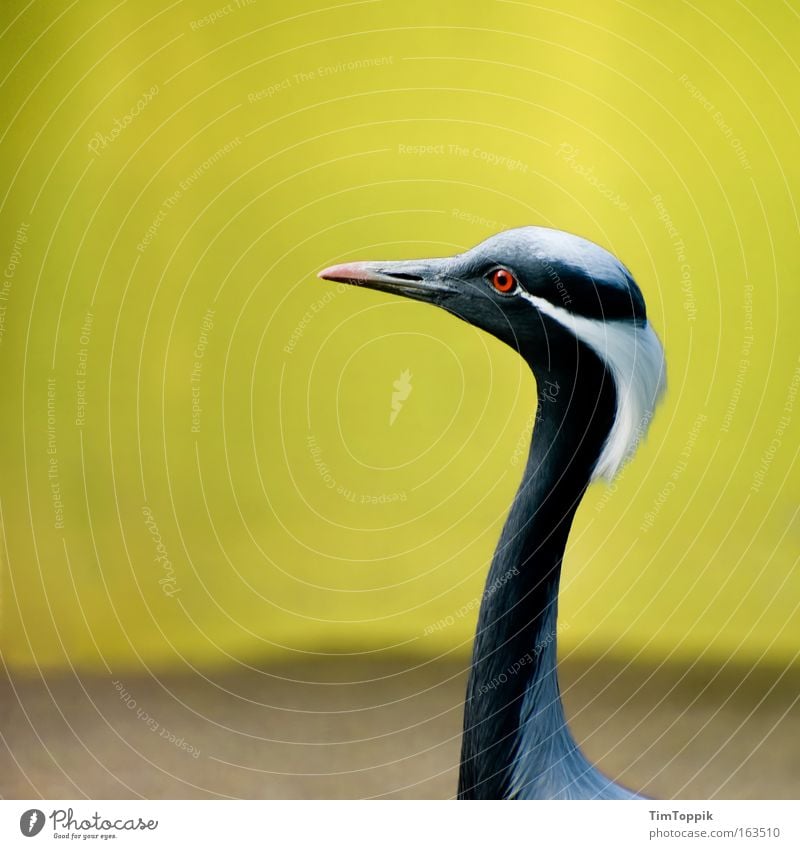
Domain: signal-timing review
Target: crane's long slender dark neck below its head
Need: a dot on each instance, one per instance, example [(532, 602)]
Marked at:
[(516, 740)]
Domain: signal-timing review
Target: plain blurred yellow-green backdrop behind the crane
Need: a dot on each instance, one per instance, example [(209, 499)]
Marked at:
[(172, 258)]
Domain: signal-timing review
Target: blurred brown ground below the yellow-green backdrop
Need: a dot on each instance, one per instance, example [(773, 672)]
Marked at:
[(349, 729)]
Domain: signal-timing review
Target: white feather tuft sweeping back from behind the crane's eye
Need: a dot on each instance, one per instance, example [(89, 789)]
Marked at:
[(634, 357)]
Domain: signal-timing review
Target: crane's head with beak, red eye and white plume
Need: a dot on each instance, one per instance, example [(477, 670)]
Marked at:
[(554, 297)]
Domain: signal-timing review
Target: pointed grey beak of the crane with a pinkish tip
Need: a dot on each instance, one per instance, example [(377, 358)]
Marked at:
[(421, 280)]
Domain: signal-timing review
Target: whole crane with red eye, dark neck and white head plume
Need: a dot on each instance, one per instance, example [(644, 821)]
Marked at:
[(575, 314)]
